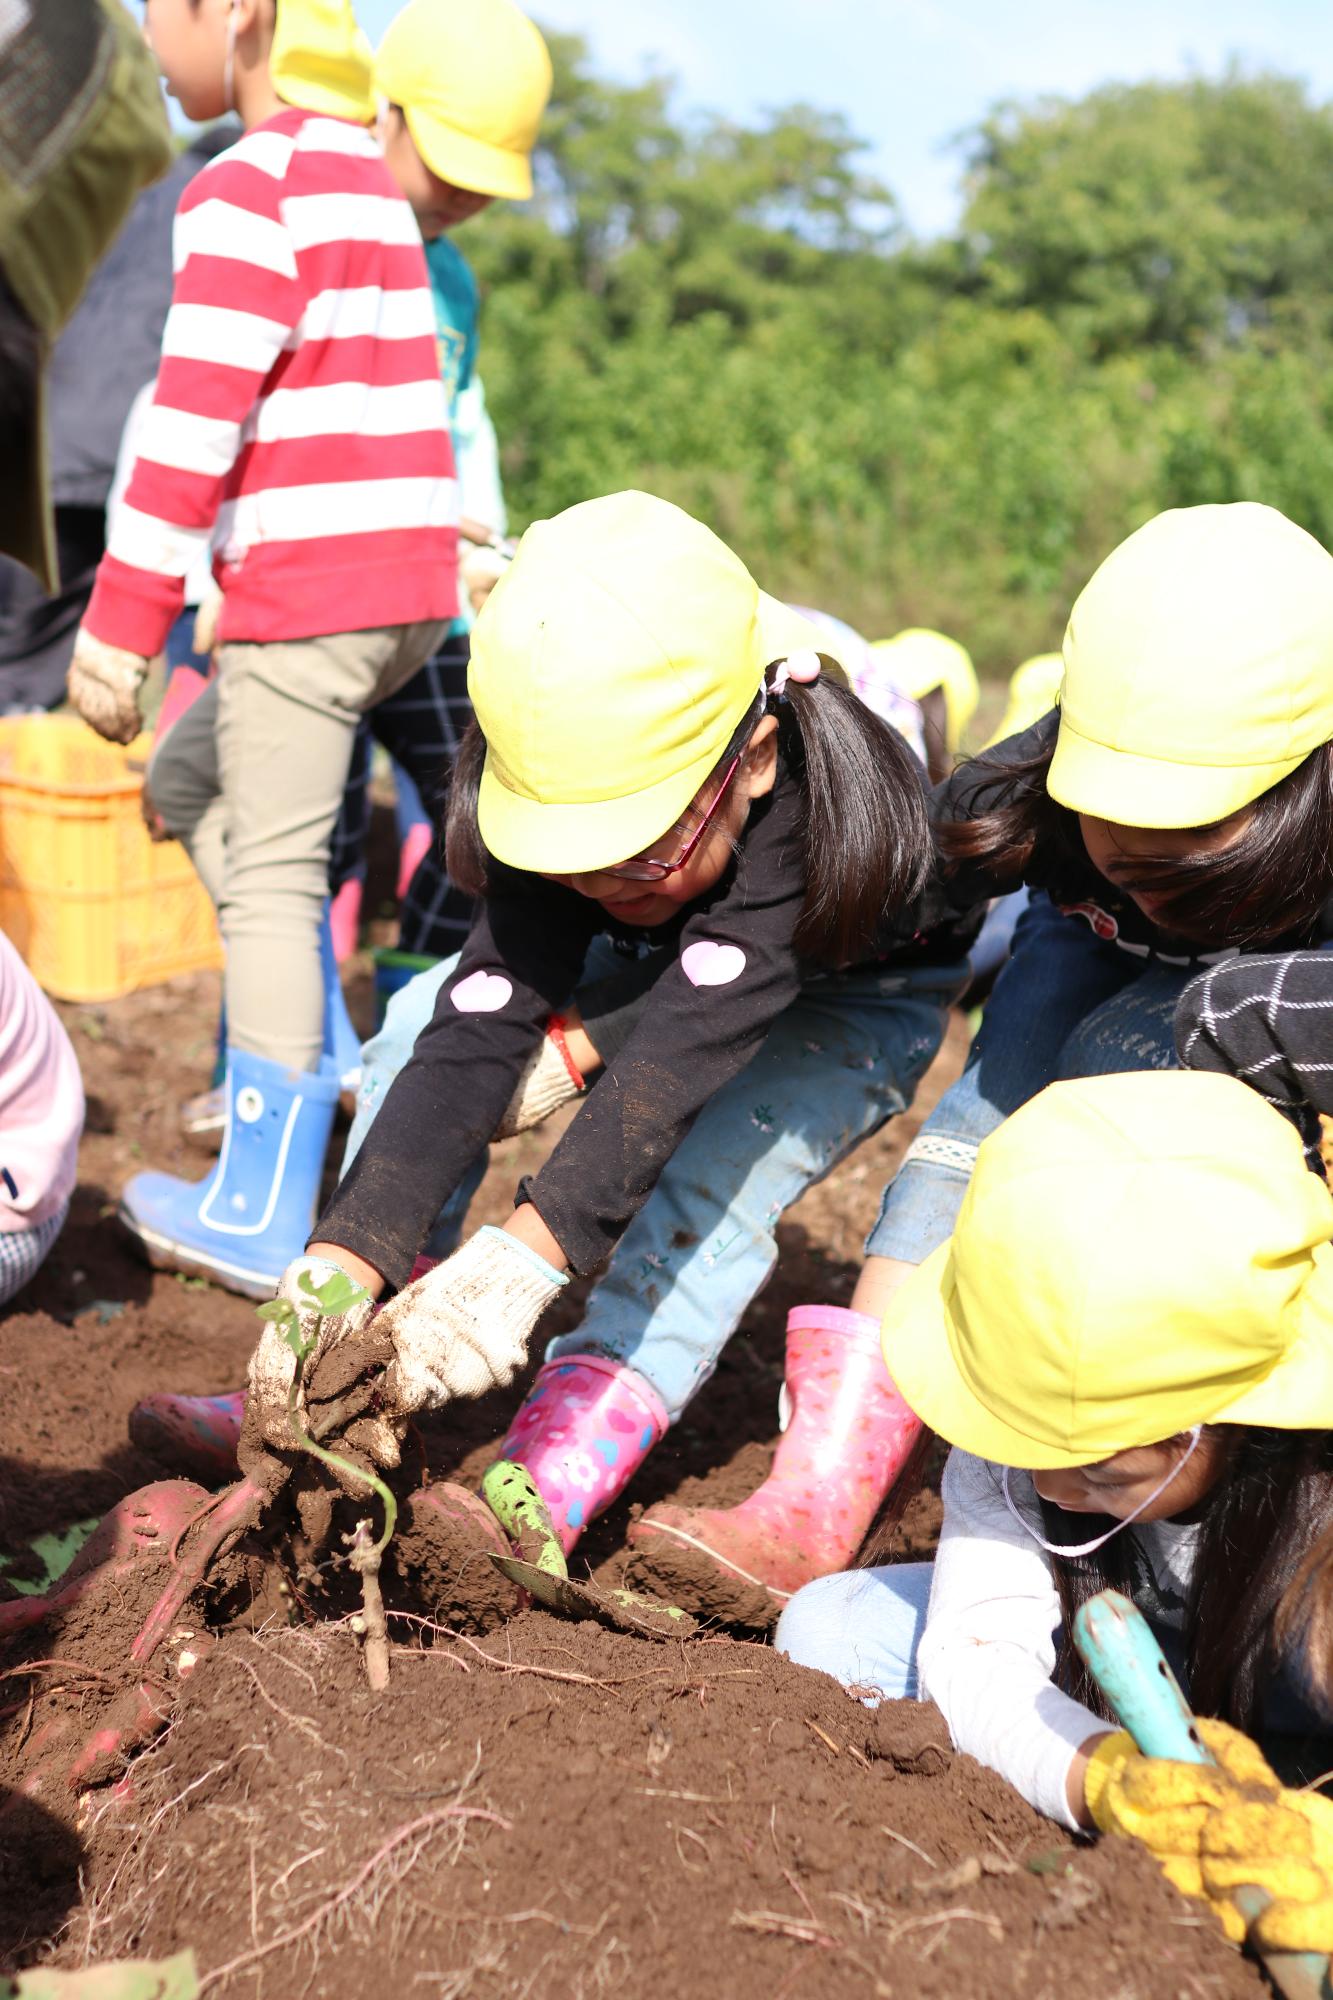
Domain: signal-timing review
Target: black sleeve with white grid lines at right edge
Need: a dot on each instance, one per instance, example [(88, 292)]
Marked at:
[(1268, 1021)]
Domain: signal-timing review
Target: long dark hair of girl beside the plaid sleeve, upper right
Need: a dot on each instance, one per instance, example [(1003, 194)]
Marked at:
[(1272, 881)]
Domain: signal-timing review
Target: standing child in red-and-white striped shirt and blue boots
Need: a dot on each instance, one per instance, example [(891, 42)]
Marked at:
[(299, 409)]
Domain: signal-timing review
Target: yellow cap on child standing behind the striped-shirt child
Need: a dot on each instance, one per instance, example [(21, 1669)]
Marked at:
[(473, 79)]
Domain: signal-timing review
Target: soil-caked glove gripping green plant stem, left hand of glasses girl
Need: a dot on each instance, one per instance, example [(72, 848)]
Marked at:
[(339, 1381)]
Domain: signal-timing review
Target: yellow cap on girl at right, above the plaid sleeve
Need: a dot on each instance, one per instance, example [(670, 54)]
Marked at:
[(1198, 669)]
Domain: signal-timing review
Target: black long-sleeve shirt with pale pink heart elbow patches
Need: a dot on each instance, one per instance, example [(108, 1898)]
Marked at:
[(722, 977)]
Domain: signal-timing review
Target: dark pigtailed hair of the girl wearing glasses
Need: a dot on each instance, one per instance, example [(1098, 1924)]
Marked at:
[(864, 831)]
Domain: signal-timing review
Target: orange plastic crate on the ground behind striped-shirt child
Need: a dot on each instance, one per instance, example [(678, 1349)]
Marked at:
[(95, 907)]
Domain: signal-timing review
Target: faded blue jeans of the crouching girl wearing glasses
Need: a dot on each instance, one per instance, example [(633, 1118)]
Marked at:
[(834, 1069)]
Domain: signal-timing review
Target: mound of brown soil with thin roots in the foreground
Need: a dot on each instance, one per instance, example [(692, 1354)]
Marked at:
[(561, 1811)]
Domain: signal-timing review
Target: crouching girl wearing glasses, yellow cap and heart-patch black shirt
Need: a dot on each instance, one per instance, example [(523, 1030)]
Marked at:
[(674, 805)]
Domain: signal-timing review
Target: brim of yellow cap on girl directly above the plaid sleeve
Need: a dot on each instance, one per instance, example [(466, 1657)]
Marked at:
[(1142, 791)]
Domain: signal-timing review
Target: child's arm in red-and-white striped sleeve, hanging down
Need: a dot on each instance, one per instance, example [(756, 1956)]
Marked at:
[(235, 301)]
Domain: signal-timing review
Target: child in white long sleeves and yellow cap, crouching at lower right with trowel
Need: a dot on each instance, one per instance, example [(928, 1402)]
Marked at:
[(1130, 1349)]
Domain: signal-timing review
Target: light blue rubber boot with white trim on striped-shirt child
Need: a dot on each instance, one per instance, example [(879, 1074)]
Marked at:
[(253, 1215)]
